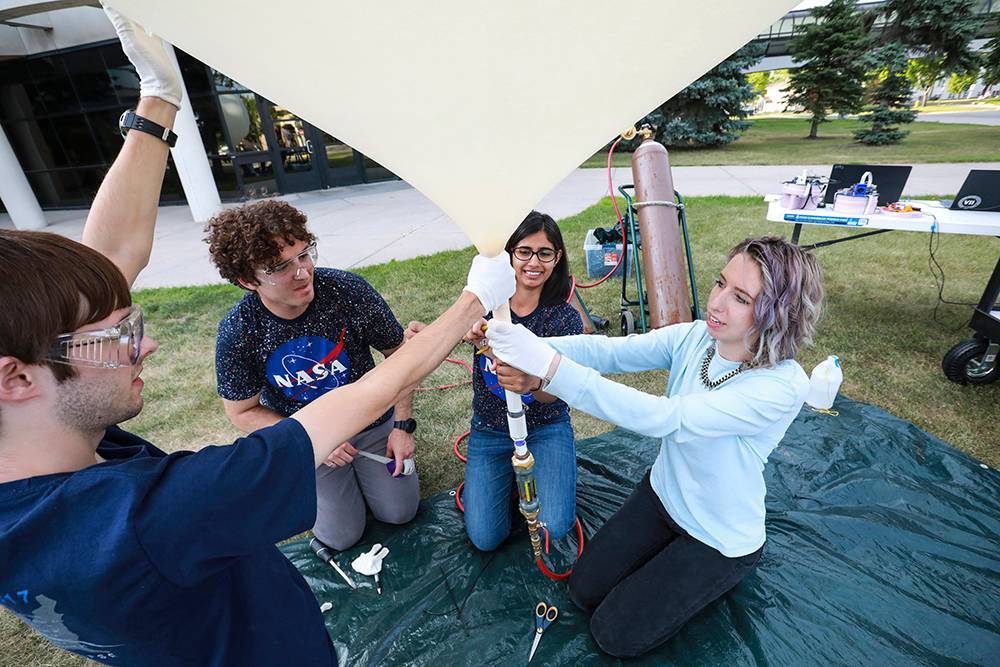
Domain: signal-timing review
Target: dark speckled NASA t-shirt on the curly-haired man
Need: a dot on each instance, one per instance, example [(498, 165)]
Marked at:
[(293, 362)]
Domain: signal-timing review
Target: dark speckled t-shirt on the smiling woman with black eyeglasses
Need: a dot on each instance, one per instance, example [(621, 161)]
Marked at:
[(488, 402)]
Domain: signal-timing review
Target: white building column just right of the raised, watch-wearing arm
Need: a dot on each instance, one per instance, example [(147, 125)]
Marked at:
[(189, 156)]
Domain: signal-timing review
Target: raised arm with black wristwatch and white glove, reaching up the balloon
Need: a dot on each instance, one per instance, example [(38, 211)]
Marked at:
[(121, 219)]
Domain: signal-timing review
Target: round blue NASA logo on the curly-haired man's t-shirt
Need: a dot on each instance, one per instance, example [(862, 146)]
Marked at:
[(305, 368)]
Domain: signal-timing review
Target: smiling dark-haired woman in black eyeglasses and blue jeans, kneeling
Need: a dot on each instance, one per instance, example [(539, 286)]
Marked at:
[(541, 268)]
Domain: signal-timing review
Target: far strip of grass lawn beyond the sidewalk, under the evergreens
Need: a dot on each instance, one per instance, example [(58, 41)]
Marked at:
[(784, 141)]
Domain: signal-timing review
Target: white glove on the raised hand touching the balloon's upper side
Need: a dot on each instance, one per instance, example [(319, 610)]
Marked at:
[(157, 75)]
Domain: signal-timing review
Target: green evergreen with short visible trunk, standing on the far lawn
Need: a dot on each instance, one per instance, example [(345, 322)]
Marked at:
[(831, 75)]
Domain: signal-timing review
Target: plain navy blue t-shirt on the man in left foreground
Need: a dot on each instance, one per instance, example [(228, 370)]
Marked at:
[(156, 559)]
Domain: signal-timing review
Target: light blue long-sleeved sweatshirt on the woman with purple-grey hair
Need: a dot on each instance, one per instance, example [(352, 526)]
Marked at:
[(709, 473)]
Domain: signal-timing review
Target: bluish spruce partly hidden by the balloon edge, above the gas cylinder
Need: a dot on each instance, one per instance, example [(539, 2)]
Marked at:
[(712, 110)]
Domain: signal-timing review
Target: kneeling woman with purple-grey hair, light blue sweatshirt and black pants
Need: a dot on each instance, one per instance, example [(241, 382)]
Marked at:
[(694, 526)]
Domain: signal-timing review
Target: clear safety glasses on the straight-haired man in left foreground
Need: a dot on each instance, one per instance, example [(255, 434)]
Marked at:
[(114, 347)]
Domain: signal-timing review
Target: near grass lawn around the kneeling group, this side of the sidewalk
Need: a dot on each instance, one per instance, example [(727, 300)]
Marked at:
[(879, 319)]
